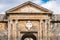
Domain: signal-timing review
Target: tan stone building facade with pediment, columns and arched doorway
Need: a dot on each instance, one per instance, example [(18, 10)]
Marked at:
[(42, 22)]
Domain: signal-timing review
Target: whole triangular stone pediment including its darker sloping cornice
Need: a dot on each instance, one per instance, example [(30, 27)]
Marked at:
[(28, 7)]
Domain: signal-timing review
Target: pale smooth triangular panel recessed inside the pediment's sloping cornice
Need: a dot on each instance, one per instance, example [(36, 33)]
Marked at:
[(28, 8)]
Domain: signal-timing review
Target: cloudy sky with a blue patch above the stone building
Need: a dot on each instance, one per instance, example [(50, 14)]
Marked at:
[(53, 5)]
